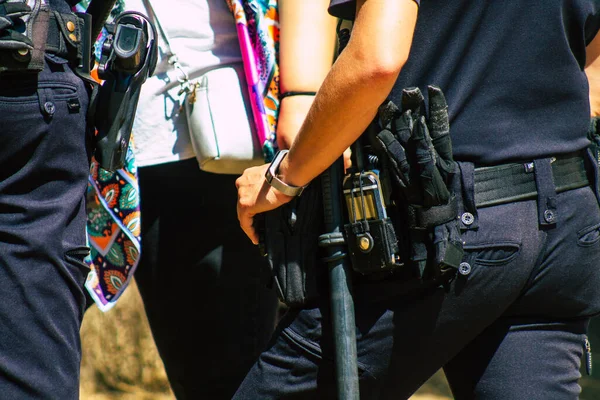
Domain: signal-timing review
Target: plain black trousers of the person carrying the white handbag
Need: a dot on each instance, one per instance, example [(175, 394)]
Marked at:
[(203, 283)]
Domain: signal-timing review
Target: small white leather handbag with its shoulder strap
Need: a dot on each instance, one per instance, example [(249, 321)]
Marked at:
[(219, 117)]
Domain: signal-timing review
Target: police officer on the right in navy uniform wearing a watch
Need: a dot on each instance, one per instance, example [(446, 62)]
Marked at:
[(512, 323)]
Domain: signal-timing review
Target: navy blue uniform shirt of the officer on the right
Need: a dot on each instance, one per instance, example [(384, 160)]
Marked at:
[(512, 72)]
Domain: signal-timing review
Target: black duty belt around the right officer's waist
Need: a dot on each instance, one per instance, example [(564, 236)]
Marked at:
[(506, 183)]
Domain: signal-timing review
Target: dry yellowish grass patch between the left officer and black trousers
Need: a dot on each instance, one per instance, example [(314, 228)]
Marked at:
[(120, 359)]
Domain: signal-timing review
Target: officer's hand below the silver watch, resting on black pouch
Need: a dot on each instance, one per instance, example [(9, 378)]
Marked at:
[(256, 196)]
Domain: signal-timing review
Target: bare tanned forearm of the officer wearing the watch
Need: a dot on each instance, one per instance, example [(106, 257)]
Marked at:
[(357, 84)]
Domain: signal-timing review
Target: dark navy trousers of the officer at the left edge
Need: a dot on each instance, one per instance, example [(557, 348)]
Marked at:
[(44, 164)]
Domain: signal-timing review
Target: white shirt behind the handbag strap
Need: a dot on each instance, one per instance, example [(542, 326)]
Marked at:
[(202, 33)]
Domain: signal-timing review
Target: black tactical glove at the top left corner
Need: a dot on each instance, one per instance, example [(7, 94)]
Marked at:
[(12, 25)]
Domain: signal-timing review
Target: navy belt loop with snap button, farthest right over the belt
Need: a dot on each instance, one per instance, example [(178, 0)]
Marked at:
[(544, 181)]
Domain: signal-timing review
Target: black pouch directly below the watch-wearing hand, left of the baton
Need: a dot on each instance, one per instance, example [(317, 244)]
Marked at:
[(289, 241)]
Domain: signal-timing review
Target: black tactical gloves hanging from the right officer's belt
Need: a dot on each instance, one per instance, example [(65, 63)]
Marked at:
[(418, 151)]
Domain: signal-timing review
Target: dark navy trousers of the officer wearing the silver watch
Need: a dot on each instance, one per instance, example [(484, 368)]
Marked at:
[(513, 327)]
